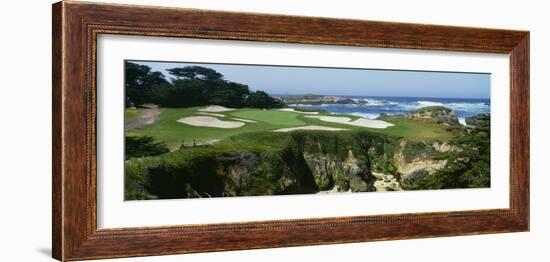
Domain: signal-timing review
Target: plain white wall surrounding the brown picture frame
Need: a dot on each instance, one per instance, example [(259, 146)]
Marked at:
[(25, 149)]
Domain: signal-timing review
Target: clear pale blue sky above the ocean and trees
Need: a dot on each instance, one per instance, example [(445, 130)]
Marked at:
[(347, 82)]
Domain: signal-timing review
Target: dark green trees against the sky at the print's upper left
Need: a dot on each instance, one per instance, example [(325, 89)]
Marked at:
[(190, 86)]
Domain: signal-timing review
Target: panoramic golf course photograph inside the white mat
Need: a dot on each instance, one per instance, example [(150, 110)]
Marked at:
[(202, 130)]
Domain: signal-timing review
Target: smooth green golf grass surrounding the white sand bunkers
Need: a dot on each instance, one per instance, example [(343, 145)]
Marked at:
[(167, 129)]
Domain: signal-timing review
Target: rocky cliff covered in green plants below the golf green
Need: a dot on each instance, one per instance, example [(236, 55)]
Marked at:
[(309, 163)]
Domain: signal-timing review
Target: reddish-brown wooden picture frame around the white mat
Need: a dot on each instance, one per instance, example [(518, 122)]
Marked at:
[(75, 29)]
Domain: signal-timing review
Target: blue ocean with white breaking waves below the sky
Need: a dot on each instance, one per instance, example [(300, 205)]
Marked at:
[(375, 106)]
